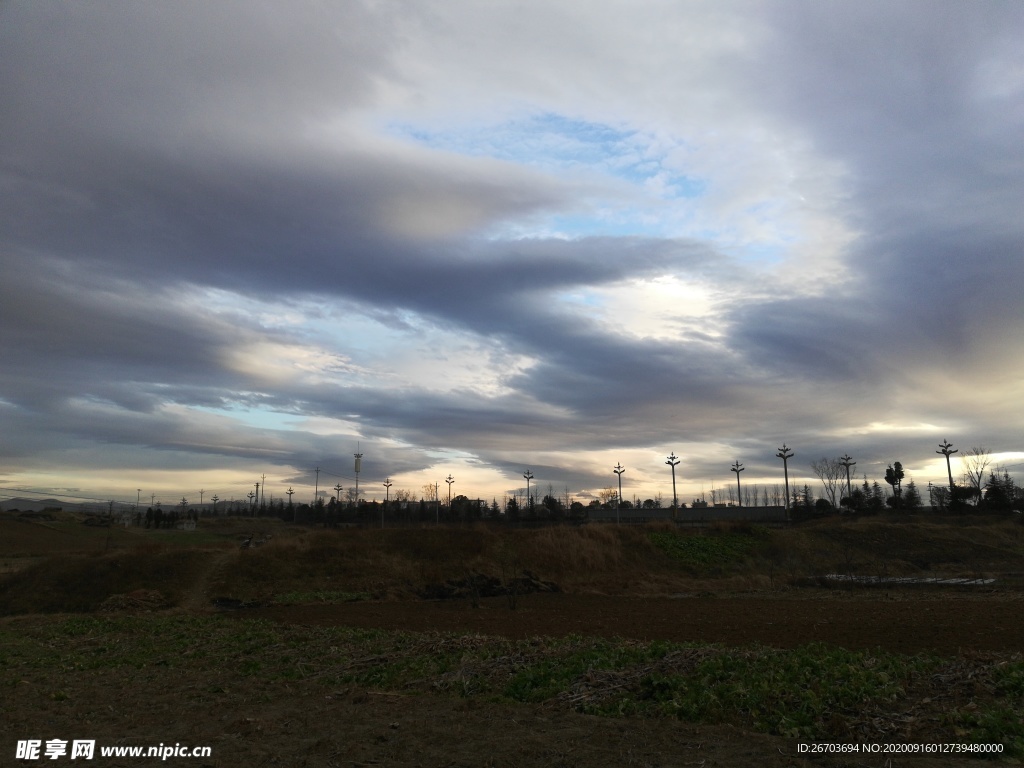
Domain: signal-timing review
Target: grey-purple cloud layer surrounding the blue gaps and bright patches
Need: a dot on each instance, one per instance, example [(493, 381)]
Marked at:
[(152, 153)]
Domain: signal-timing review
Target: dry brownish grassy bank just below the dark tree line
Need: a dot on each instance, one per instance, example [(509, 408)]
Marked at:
[(397, 564)]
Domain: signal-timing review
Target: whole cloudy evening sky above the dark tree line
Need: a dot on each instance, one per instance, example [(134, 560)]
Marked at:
[(242, 240)]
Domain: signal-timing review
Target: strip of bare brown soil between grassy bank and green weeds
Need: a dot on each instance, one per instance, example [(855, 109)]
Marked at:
[(943, 623)]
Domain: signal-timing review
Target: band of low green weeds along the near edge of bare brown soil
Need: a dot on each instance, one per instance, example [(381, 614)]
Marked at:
[(814, 693)]
